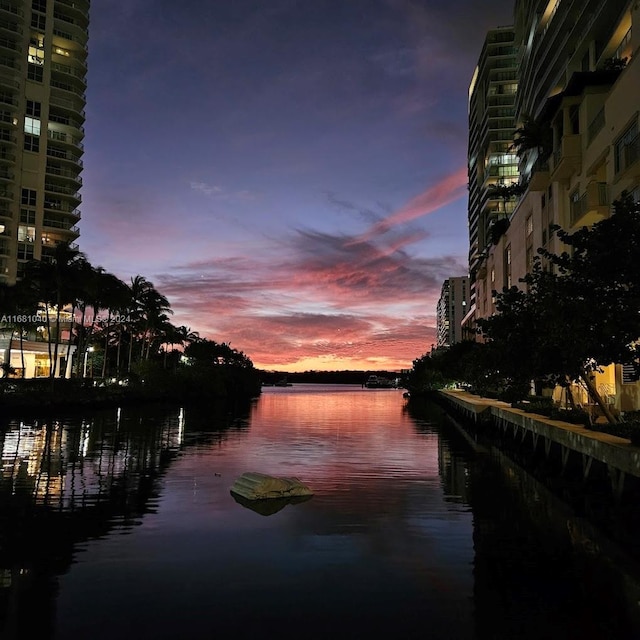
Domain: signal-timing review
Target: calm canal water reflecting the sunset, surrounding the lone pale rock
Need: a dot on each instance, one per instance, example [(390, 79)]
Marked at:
[(120, 524)]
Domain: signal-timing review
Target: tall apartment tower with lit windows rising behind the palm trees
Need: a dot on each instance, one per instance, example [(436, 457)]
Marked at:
[(43, 53)]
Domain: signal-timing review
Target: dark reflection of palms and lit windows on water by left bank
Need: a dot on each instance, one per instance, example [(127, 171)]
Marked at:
[(65, 480)]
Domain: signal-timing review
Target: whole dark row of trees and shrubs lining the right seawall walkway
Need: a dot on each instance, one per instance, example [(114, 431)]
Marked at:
[(576, 313)]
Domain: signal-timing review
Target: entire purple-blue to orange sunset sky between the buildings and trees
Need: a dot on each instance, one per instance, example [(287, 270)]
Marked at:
[(291, 174)]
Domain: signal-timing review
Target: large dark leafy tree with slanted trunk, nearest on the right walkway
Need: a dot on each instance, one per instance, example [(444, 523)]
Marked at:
[(579, 314)]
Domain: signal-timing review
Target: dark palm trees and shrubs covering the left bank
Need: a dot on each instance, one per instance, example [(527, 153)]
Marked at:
[(126, 350)]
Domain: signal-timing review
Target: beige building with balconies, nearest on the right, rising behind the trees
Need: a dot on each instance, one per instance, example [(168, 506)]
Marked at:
[(579, 79)]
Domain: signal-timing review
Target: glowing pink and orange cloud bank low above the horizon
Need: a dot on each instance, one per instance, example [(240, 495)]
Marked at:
[(320, 301)]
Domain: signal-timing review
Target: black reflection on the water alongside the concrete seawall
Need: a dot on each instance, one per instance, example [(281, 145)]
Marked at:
[(539, 567)]
